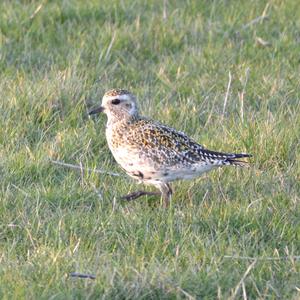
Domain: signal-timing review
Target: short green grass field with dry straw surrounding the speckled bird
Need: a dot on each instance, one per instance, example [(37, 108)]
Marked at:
[(226, 73)]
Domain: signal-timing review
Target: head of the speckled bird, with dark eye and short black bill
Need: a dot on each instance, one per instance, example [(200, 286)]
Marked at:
[(117, 104)]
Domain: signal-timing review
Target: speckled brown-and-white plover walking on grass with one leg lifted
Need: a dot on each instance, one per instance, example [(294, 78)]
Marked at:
[(153, 153)]
